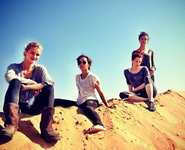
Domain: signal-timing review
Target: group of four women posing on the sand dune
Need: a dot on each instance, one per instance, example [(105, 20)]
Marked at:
[(31, 90)]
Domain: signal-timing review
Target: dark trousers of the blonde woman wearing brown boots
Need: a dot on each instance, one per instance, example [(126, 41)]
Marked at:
[(44, 99)]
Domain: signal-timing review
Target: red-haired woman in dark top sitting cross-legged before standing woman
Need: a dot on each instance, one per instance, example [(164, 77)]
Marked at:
[(140, 85)]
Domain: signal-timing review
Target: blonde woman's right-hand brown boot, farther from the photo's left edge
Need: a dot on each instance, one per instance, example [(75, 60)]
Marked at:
[(47, 132)]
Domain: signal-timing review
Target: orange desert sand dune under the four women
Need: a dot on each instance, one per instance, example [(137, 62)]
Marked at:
[(129, 127)]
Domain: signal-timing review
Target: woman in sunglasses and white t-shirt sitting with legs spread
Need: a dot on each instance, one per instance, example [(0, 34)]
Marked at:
[(86, 83)]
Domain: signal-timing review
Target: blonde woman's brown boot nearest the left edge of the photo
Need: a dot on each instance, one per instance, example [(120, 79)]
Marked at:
[(11, 123)]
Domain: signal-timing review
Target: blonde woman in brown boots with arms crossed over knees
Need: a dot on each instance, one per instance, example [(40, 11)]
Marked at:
[(29, 81)]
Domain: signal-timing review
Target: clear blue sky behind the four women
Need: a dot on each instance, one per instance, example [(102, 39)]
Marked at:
[(105, 30)]
